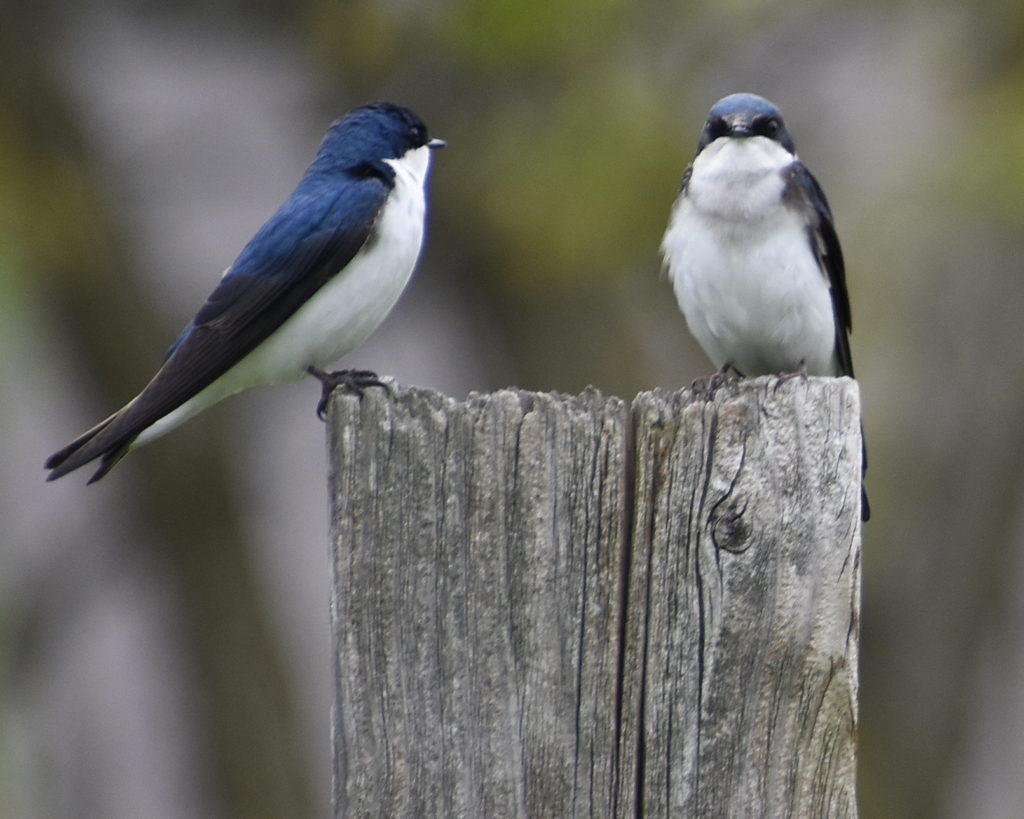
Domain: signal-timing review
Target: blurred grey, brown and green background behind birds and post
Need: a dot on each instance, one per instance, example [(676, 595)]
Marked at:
[(164, 633)]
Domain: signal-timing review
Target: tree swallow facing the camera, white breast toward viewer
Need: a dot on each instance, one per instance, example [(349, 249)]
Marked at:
[(753, 254)]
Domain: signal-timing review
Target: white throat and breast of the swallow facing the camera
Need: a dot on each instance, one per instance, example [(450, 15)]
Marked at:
[(742, 266)]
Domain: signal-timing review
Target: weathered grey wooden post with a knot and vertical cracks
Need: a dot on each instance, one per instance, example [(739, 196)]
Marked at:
[(556, 607)]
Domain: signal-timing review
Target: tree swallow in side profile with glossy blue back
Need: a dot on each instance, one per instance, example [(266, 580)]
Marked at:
[(313, 284)]
